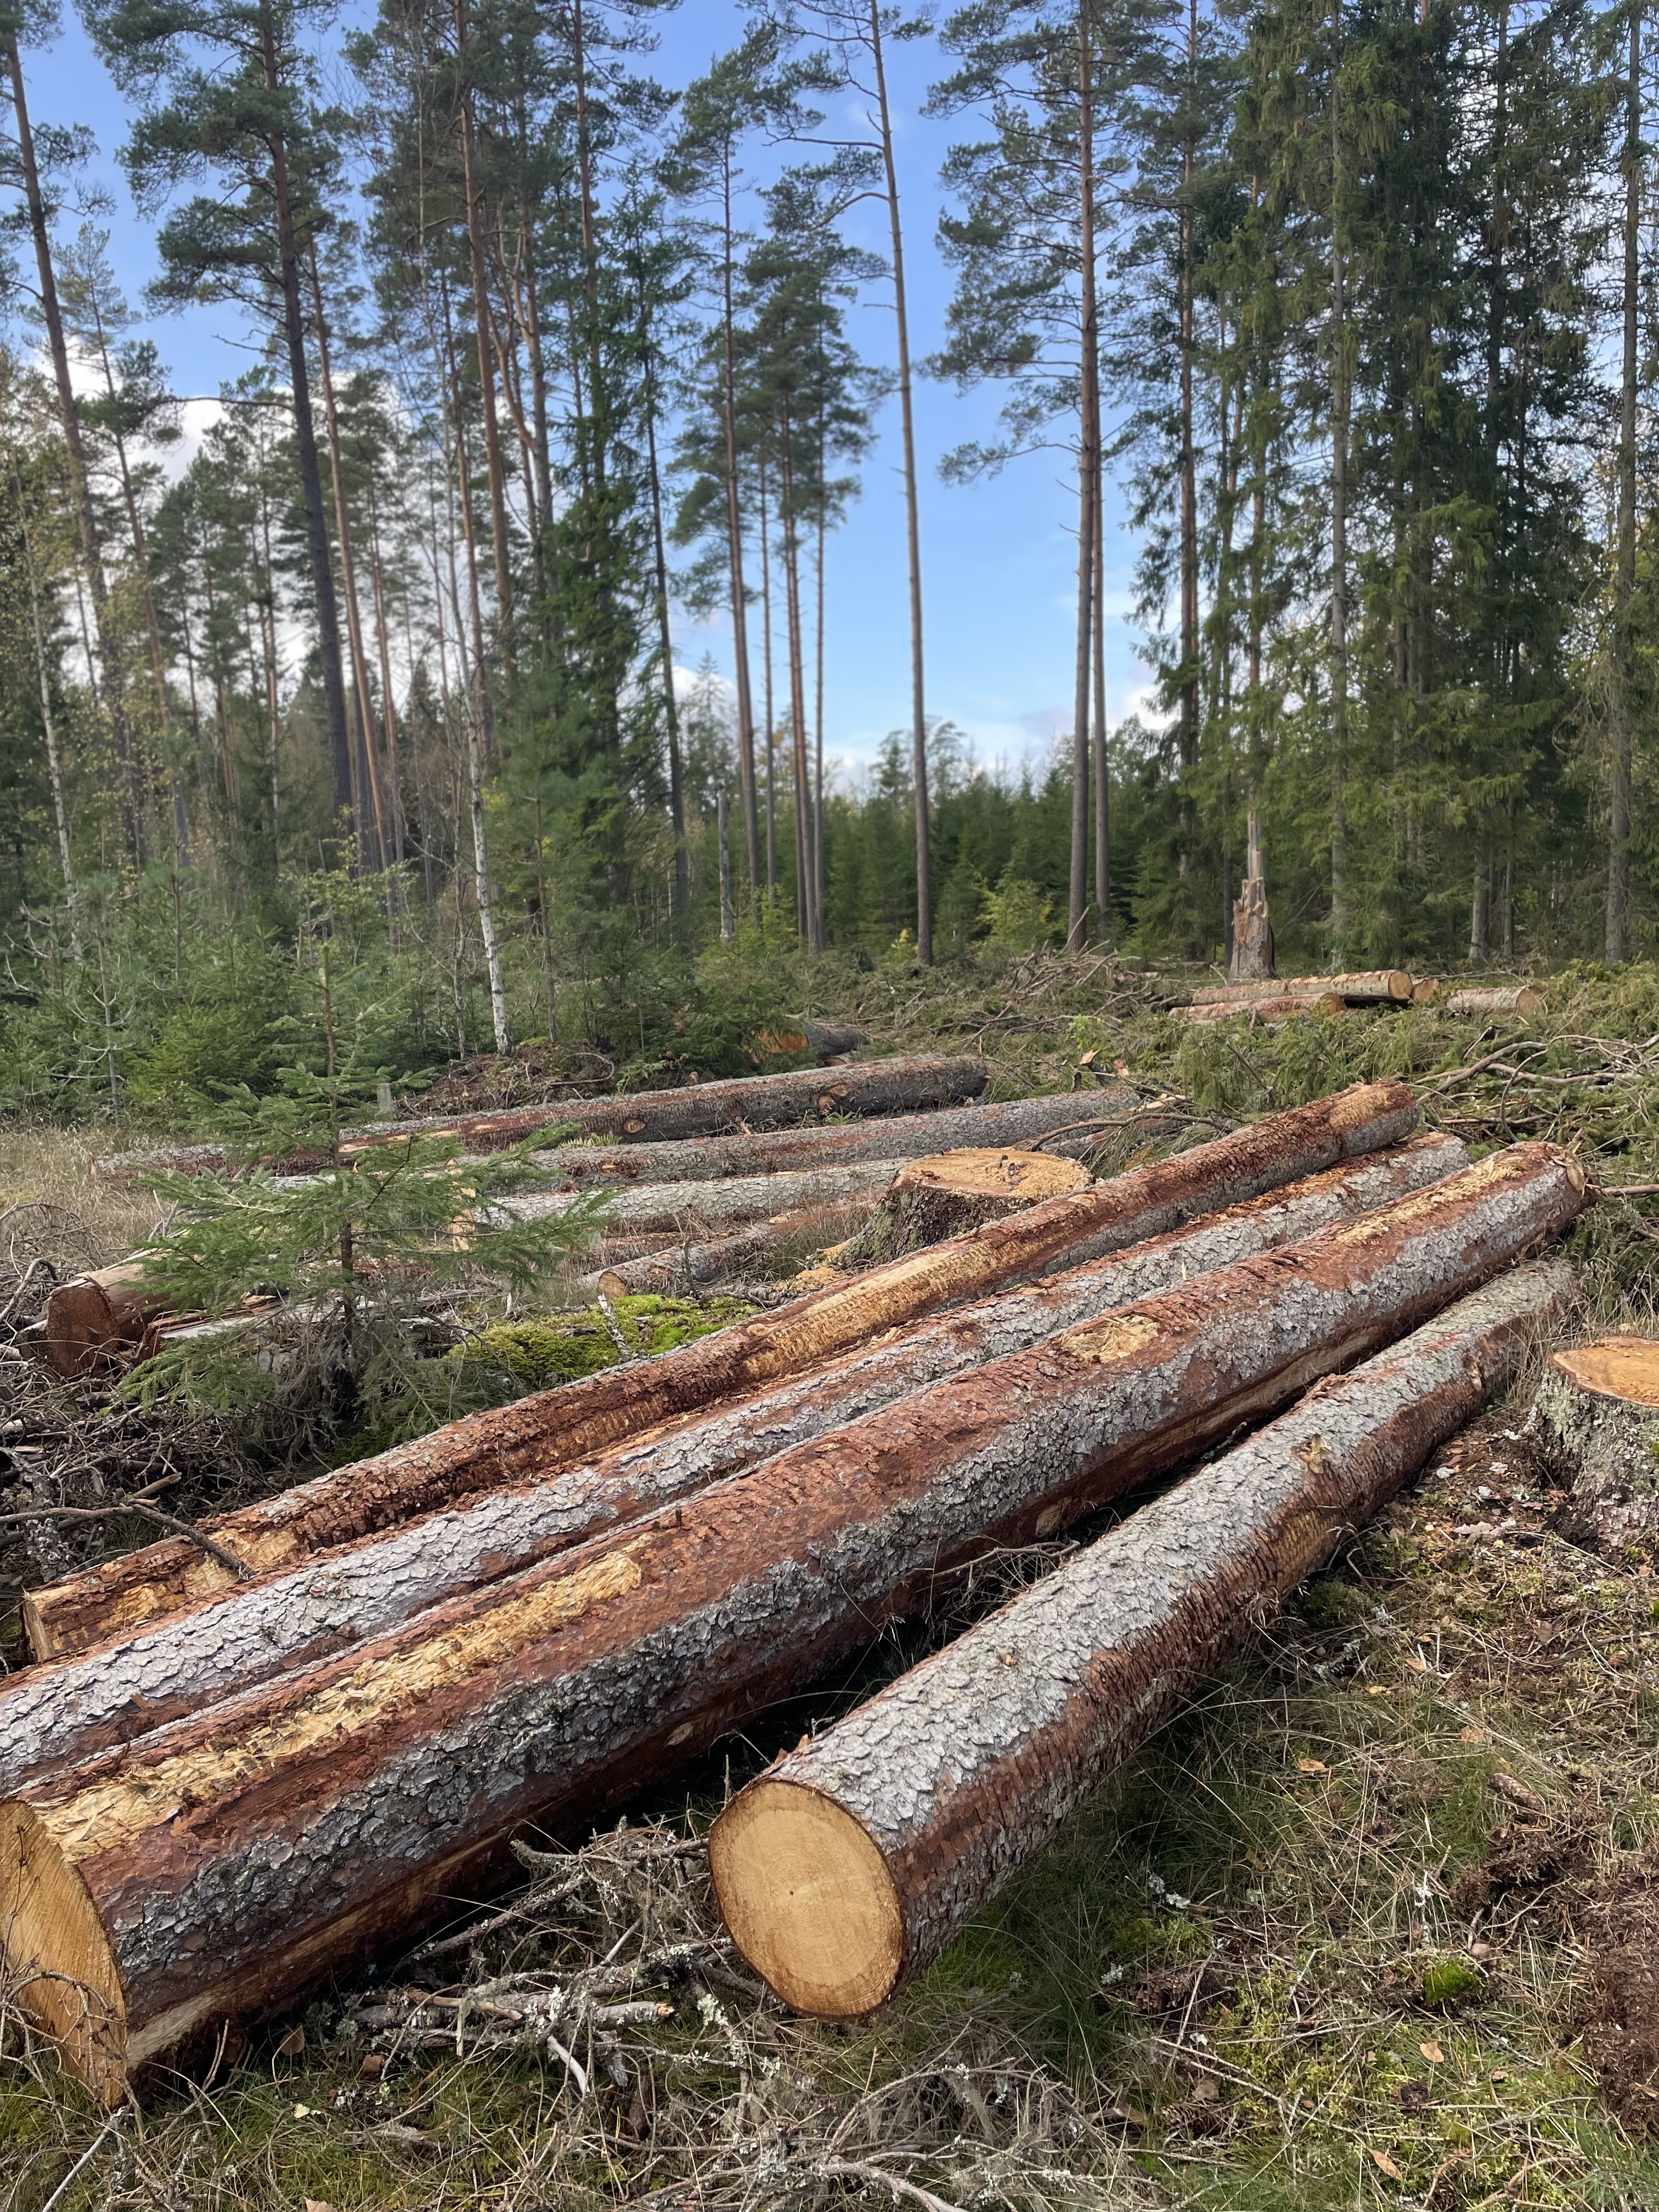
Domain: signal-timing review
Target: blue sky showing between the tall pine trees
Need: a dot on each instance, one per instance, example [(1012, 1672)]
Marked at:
[(999, 559)]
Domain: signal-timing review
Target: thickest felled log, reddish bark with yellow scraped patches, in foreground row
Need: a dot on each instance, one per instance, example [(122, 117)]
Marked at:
[(227, 1861)]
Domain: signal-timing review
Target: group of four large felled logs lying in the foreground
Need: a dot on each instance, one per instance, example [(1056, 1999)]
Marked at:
[(236, 1773)]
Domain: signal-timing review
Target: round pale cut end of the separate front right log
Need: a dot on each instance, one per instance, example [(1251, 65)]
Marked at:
[(808, 1901)]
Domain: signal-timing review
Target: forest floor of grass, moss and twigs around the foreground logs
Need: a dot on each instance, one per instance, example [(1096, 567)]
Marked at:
[(1375, 1923)]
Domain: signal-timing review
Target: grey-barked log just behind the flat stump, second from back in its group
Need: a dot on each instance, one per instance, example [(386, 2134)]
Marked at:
[(1016, 1123)]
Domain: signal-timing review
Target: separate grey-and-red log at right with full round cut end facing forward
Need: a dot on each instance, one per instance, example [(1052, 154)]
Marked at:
[(851, 1864)]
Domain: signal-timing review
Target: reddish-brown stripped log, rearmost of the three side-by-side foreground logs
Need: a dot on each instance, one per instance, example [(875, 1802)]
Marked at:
[(572, 1423)]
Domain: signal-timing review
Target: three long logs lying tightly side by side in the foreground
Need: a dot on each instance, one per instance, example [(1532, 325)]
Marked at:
[(222, 1859)]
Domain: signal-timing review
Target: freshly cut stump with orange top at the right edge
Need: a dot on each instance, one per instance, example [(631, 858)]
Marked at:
[(1600, 1417)]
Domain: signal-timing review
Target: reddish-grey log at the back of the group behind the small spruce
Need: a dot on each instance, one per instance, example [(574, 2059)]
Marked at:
[(873, 1087)]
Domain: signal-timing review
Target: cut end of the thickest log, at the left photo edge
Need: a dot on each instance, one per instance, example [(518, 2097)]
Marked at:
[(59, 1957)]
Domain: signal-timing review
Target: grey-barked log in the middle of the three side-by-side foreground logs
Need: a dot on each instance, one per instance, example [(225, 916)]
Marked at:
[(253, 1631)]
